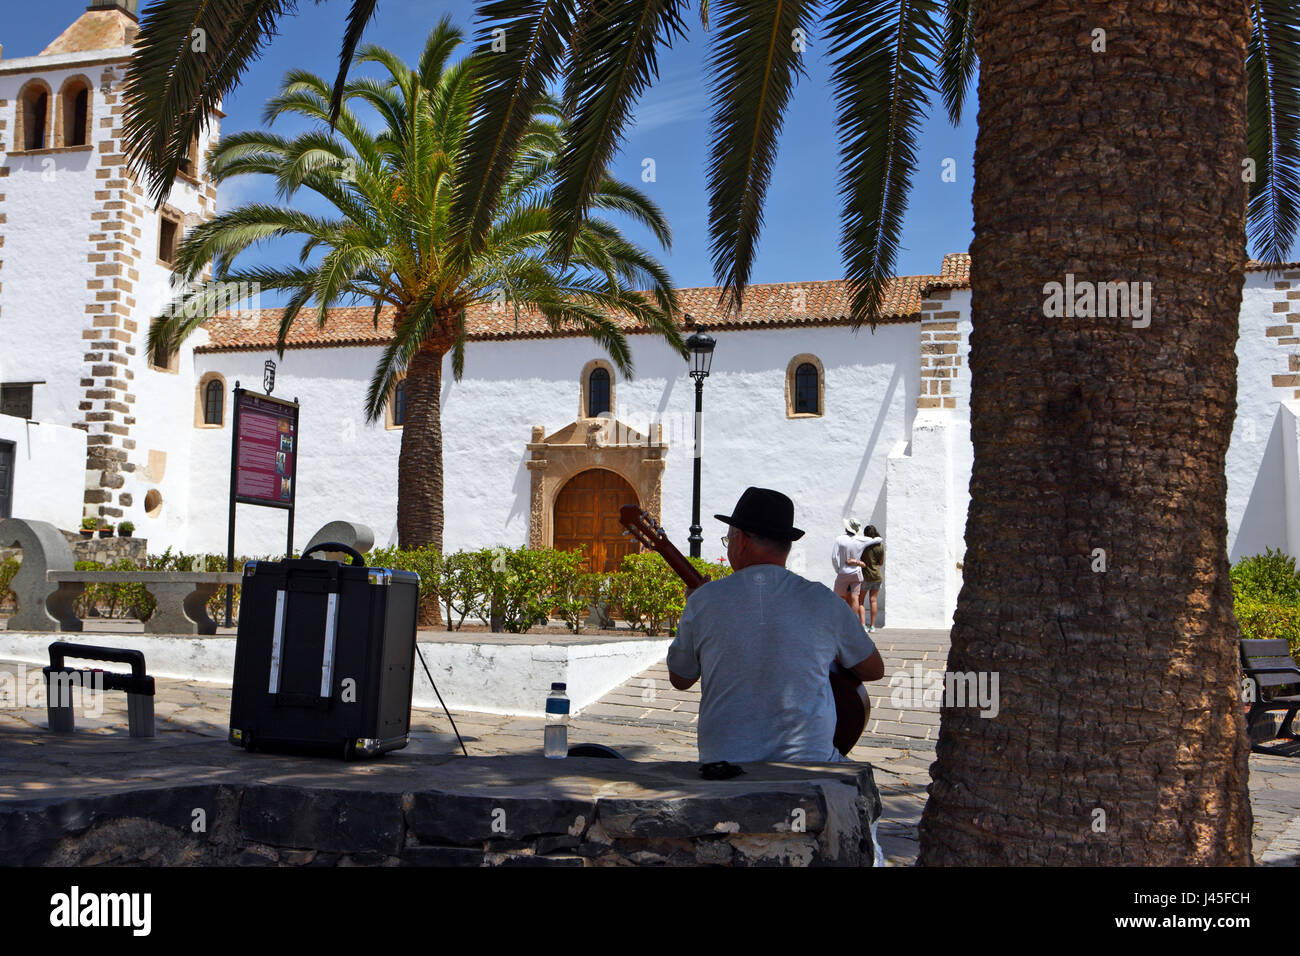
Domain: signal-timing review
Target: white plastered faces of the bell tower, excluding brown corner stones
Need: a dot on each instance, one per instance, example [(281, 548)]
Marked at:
[(50, 200)]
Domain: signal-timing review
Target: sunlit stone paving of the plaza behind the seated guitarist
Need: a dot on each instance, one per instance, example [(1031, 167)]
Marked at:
[(647, 719)]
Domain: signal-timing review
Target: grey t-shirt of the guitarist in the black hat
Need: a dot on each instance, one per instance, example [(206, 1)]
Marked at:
[(764, 641)]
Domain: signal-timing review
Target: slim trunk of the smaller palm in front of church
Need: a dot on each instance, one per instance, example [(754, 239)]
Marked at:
[(421, 520)]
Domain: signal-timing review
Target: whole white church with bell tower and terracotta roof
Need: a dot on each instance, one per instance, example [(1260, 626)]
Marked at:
[(543, 439)]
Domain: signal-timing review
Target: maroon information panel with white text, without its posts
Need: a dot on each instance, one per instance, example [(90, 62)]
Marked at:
[(267, 451)]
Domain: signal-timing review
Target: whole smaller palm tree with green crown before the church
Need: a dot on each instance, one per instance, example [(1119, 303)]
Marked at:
[(389, 244)]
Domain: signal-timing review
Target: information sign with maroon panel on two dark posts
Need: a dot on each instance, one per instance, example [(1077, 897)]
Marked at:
[(263, 464)]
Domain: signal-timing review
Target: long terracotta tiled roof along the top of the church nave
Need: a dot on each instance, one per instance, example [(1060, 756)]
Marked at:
[(783, 305)]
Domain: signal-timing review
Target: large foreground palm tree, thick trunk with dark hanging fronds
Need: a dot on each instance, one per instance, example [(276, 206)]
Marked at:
[(1119, 689)]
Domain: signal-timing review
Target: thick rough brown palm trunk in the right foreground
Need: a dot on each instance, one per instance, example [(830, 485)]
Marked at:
[(1121, 736)]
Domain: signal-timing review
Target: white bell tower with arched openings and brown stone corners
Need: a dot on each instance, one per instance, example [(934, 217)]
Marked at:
[(85, 261)]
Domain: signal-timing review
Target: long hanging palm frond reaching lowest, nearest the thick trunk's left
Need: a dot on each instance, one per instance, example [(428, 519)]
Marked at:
[(883, 54)]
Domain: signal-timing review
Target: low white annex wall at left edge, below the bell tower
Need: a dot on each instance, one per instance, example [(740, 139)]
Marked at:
[(49, 470)]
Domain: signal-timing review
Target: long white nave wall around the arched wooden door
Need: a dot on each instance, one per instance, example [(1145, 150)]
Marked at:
[(833, 466)]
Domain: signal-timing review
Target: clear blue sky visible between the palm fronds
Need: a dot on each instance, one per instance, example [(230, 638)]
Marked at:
[(800, 240)]
